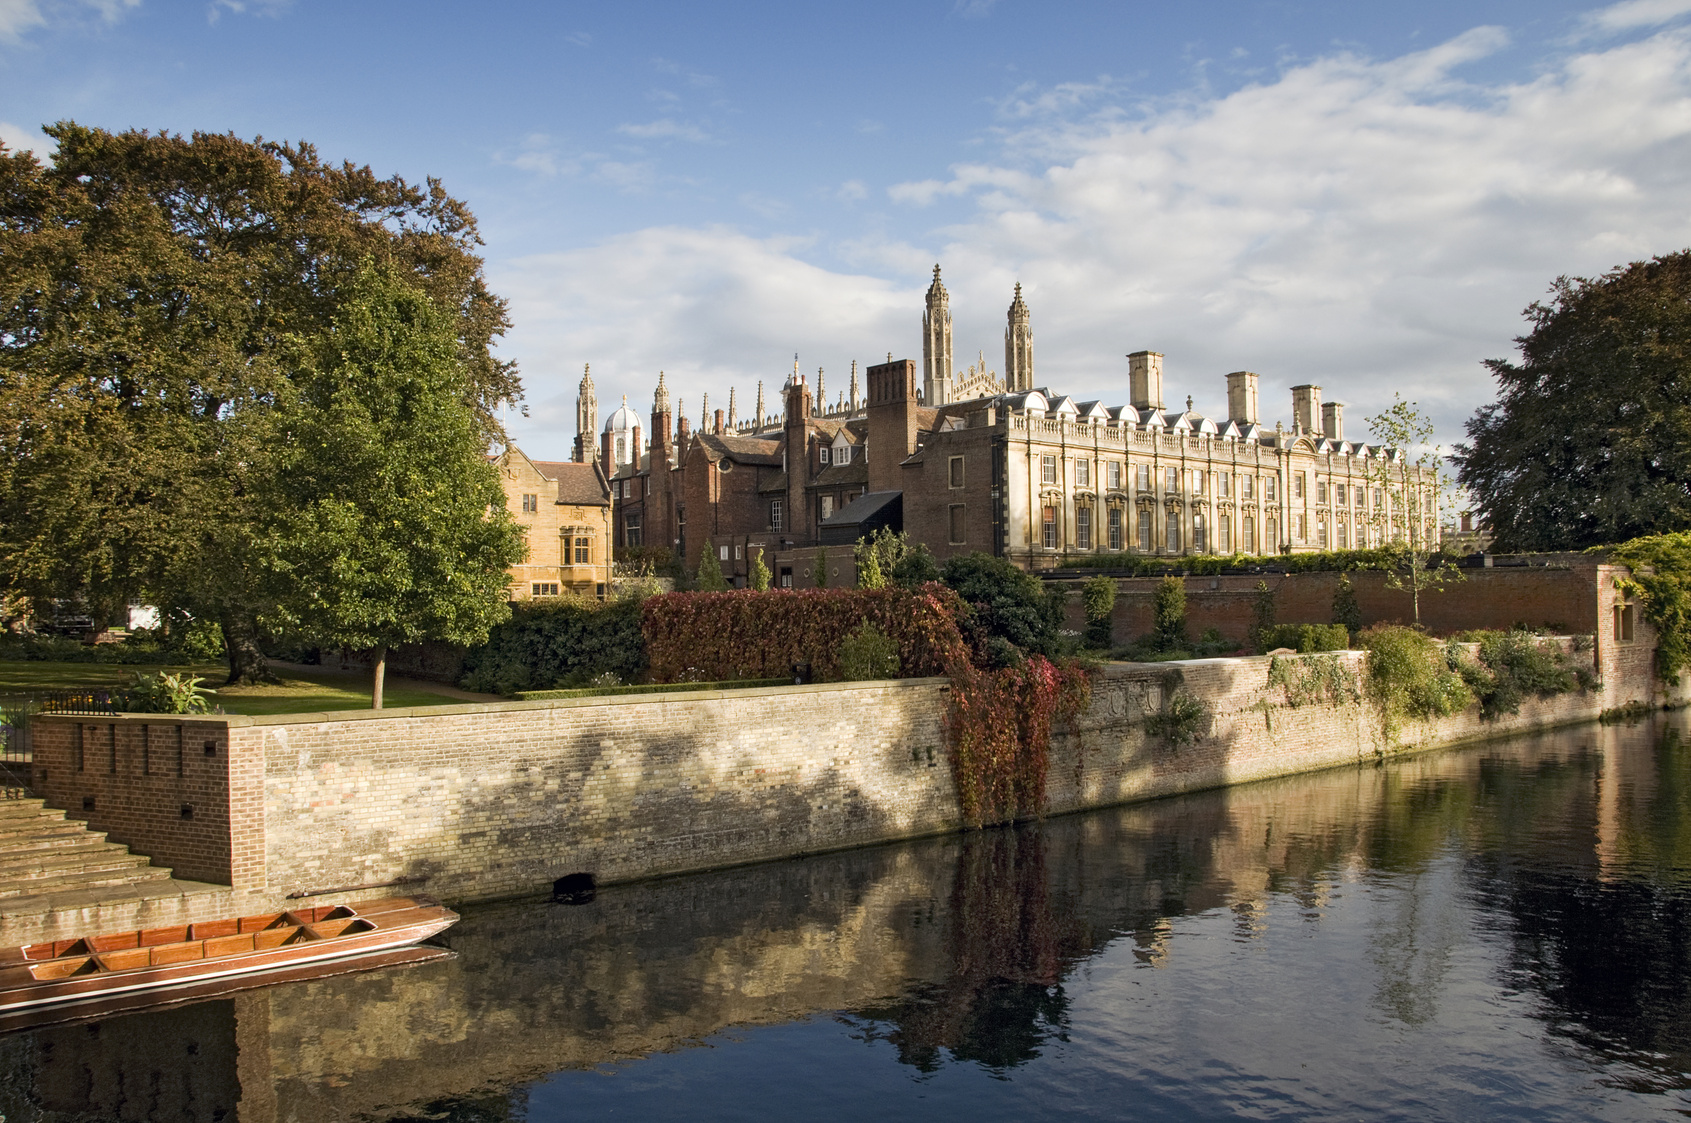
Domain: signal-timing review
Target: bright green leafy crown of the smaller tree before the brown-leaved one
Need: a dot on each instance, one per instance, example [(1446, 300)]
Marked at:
[(391, 522)]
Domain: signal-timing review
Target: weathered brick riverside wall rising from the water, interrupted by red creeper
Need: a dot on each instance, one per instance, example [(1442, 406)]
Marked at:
[(479, 803)]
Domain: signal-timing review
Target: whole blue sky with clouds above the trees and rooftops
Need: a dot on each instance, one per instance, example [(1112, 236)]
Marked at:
[(1360, 197)]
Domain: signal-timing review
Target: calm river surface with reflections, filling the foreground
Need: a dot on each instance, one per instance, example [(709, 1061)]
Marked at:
[(1484, 934)]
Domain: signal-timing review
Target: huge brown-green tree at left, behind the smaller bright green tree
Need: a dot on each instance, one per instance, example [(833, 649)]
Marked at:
[(151, 293)]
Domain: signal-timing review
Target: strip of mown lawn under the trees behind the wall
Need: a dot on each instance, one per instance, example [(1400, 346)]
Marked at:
[(298, 694)]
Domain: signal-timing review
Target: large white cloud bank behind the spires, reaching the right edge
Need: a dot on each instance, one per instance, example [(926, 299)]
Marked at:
[(1367, 226)]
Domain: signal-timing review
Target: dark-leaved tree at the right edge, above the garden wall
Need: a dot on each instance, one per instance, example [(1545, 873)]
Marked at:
[(1590, 439)]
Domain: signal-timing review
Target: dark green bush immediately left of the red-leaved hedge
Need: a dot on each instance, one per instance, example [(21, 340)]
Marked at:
[(559, 644)]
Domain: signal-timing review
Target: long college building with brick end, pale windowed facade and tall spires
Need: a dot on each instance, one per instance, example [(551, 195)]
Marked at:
[(965, 463)]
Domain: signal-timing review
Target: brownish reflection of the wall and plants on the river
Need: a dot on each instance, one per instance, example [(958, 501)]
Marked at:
[(1573, 848)]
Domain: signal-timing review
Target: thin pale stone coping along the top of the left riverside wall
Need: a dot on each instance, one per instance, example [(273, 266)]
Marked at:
[(317, 718)]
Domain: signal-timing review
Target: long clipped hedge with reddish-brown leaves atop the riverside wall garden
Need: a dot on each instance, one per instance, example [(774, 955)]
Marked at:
[(708, 637)]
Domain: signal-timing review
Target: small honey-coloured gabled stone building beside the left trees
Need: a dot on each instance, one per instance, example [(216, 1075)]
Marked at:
[(566, 515)]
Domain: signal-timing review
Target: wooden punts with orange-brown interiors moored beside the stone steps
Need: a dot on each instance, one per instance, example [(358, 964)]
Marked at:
[(87, 972)]
